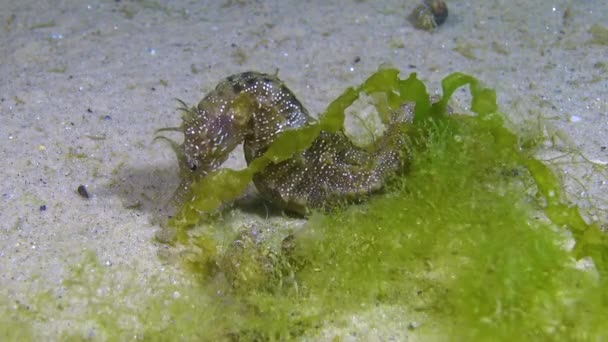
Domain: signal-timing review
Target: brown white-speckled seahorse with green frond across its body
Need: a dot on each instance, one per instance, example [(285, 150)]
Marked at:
[(254, 108)]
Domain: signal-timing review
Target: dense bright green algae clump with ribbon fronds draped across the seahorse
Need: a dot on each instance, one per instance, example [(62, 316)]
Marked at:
[(476, 228)]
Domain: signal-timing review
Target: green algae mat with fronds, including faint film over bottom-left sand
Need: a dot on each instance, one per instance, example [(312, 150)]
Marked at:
[(472, 241)]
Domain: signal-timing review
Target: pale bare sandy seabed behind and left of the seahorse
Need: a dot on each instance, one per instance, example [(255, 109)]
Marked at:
[(84, 85)]
